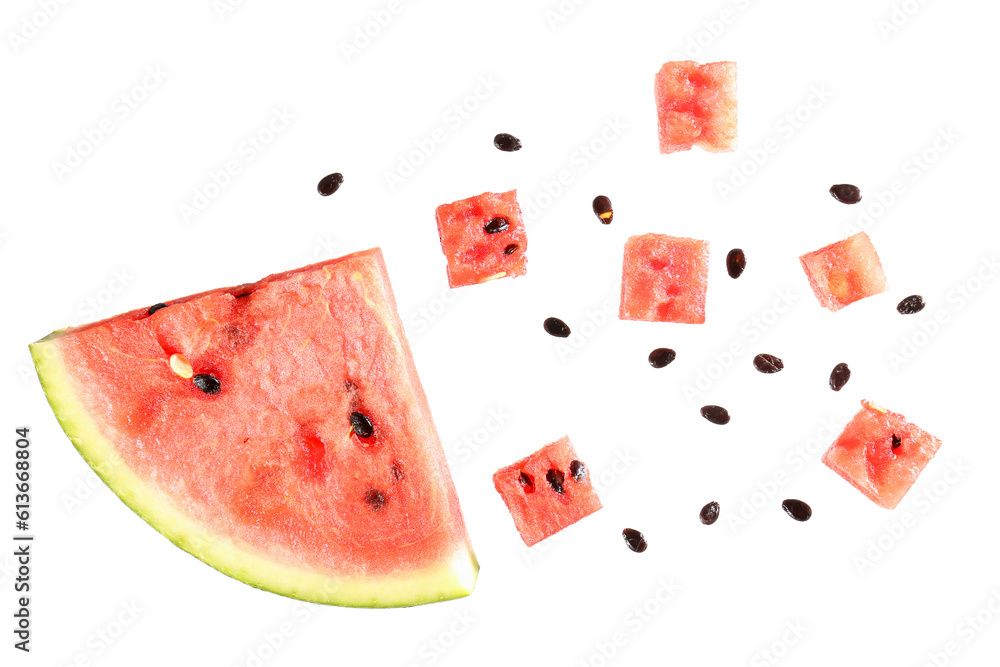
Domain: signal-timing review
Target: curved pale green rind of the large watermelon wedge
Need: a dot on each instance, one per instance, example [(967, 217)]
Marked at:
[(453, 579)]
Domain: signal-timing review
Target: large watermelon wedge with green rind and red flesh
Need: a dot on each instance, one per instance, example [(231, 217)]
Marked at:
[(277, 431)]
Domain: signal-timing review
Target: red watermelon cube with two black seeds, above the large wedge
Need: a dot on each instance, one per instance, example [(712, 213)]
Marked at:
[(483, 238)]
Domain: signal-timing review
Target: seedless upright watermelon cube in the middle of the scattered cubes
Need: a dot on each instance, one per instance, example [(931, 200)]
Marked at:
[(664, 279)]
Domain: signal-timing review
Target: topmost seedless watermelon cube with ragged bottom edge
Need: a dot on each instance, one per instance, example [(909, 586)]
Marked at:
[(696, 105)]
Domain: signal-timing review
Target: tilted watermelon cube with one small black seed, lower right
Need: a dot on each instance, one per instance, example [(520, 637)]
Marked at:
[(881, 454)]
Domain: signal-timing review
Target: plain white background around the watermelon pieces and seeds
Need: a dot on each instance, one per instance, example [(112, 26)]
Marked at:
[(885, 92)]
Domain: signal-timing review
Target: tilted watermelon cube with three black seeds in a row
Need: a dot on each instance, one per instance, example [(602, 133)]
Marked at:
[(547, 491)]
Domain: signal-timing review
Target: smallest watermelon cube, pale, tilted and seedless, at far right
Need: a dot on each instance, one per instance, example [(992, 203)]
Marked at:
[(845, 271)]
